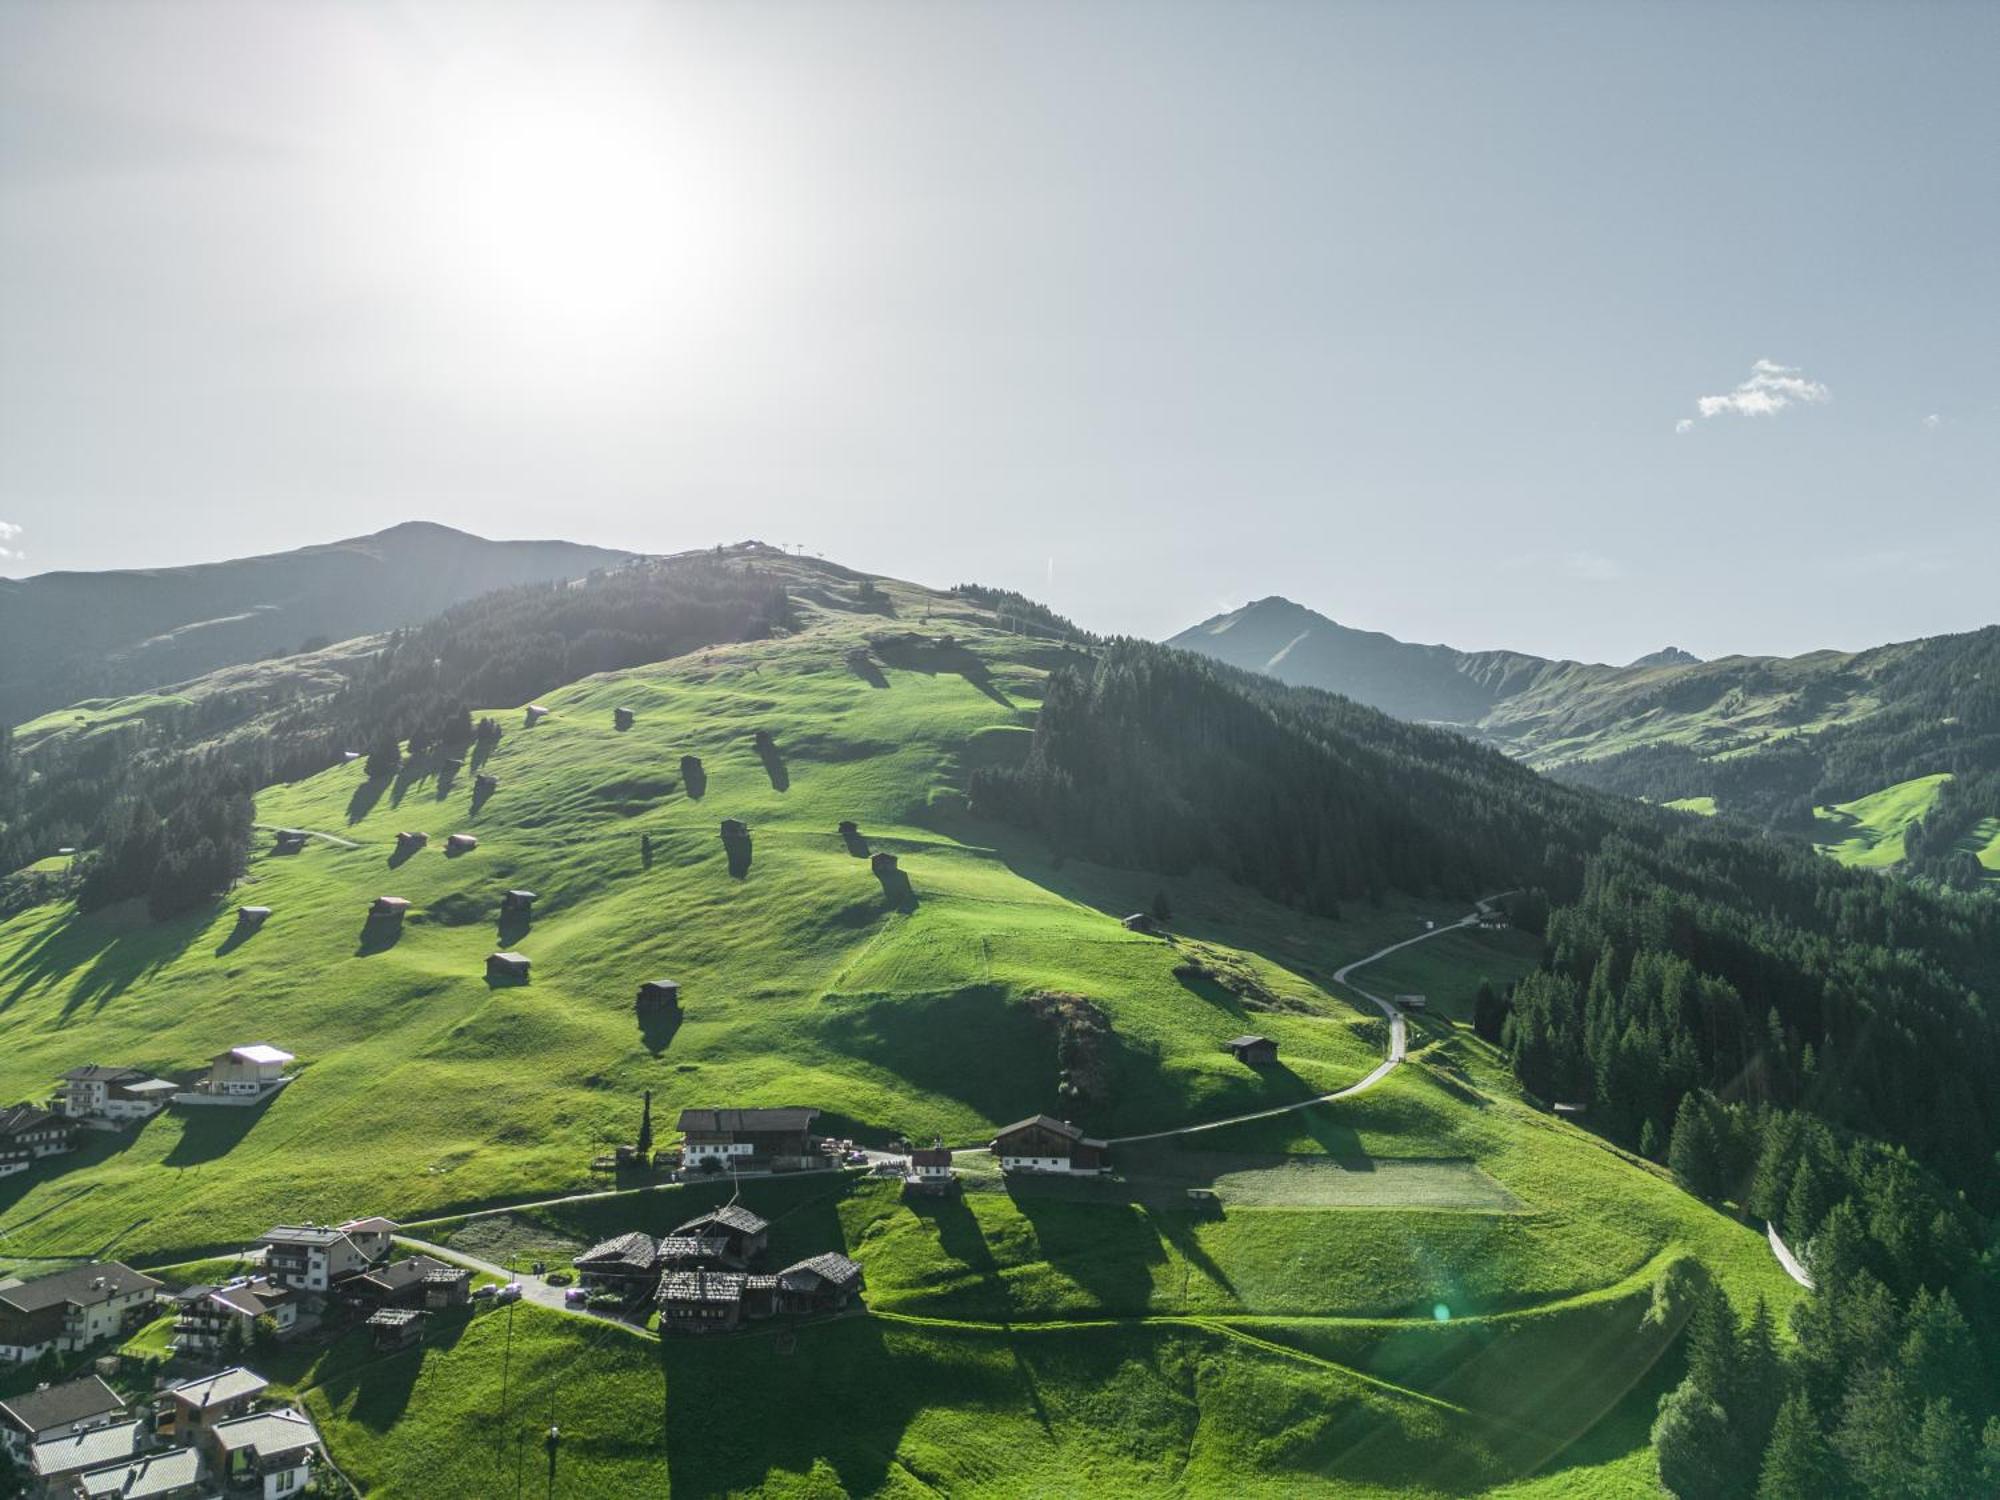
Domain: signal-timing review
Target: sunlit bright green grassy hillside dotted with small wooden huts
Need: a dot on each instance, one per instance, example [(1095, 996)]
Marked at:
[(1431, 1287)]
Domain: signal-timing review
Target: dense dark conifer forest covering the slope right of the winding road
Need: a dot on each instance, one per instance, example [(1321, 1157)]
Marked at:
[(1799, 1041)]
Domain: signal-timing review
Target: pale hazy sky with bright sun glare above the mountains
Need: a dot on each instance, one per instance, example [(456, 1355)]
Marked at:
[(1579, 329)]
